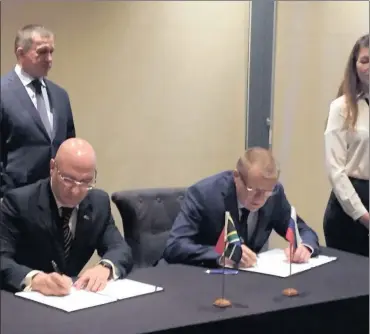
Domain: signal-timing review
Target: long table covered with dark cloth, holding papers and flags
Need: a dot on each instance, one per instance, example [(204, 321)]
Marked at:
[(334, 299)]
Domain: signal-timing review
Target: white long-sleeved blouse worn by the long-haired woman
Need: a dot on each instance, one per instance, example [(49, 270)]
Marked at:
[(347, 154)]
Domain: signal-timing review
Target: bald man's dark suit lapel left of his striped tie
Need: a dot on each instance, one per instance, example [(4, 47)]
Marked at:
[(48, 218)]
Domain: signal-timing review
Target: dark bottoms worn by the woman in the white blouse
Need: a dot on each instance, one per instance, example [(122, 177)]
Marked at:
[(340, 230)]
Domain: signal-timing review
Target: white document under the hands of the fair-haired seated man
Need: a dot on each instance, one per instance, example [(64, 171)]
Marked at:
[(274, 262)]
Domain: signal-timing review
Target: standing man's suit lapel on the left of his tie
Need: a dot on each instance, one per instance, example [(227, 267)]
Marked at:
[(20, 93)]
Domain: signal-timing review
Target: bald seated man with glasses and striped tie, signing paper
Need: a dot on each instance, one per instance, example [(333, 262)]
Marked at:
[(54, 226)]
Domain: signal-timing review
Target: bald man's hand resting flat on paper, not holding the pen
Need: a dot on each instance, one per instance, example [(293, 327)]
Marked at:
[(94, 279)]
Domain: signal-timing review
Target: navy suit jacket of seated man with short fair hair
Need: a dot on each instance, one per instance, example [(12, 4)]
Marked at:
[(198, 226)]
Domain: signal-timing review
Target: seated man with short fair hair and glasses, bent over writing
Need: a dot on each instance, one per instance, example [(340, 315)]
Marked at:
[(257, 204)]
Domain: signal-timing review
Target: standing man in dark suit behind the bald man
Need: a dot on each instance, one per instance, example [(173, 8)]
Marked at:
[(35, 113)]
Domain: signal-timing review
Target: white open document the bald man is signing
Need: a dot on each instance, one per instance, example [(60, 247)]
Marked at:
[(80, 299)]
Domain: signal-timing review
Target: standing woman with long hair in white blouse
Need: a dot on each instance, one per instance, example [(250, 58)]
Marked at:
[(346, 220)]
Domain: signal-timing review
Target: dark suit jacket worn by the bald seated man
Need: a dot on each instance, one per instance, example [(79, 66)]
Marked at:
[(31, 234)]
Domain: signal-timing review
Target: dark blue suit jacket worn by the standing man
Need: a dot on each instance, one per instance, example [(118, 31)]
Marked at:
[(25, 146)]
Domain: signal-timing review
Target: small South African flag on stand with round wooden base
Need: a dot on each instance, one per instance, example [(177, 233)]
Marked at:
[(228, 246)]
